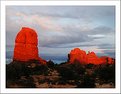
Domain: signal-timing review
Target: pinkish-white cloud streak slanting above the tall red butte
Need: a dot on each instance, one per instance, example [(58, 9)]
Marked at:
[(46, 23)]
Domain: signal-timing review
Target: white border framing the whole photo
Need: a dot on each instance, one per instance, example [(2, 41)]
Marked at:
[(59, 3)]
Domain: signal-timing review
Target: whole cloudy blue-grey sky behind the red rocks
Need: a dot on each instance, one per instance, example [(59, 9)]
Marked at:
[(63, 28)]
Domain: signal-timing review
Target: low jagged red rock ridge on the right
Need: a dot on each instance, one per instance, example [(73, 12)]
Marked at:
[(91, 58)]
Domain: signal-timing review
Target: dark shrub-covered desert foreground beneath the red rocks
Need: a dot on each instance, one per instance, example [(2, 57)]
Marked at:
[(33, 74)]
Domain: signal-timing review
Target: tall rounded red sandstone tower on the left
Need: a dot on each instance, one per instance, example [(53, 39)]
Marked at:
[(26, 46)]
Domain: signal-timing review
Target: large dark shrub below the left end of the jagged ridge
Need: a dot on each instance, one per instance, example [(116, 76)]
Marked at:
[(71, 71)]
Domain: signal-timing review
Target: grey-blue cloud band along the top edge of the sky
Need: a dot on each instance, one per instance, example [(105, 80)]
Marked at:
[(69, 11)]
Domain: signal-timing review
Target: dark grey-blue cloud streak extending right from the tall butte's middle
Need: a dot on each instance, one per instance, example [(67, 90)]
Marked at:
[(59, 40)]
